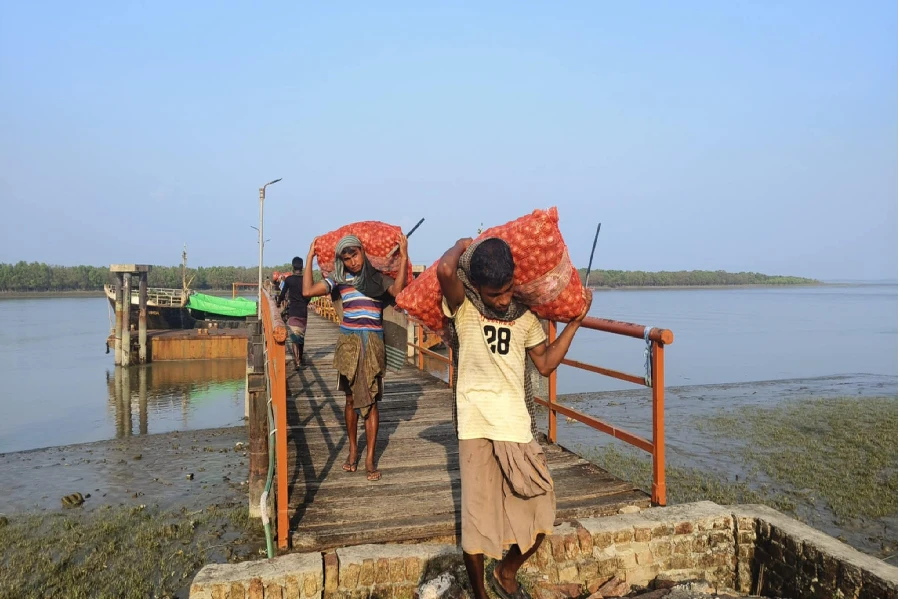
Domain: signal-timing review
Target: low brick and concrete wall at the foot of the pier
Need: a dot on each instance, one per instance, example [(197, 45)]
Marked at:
[(750, 548)]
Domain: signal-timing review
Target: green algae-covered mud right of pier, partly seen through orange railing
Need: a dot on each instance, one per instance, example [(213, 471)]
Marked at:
[(831, 463)]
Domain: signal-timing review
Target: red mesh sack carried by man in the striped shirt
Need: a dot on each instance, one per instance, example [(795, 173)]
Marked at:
[(378, 240)]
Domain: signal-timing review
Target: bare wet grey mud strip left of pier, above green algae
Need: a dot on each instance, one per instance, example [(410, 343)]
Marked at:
[(146, 469)]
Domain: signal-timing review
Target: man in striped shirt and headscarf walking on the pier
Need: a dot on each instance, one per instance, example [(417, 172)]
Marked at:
[(359, 354)]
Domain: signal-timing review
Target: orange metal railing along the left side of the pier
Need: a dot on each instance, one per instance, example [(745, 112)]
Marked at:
[(274, 334)]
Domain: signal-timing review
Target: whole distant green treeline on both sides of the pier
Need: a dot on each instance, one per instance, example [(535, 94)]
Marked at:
[(37, 276)]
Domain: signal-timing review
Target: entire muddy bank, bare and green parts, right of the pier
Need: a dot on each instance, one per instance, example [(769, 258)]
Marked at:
[(724, 443)]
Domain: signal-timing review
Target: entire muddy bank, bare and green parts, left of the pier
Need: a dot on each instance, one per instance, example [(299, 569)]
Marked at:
[(156, 509)]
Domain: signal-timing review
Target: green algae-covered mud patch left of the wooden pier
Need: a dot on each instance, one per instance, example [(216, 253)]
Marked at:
[(120, 551)]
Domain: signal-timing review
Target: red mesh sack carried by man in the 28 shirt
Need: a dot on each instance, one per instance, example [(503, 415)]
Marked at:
[(544, 279)]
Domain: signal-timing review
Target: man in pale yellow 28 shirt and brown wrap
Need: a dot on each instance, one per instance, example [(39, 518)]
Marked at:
[(508, 500)]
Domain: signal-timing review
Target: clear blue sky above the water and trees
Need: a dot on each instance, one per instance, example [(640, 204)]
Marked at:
[(735, 135)]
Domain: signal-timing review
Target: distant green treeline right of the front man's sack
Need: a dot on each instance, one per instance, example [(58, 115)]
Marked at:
[(687, 278)]
